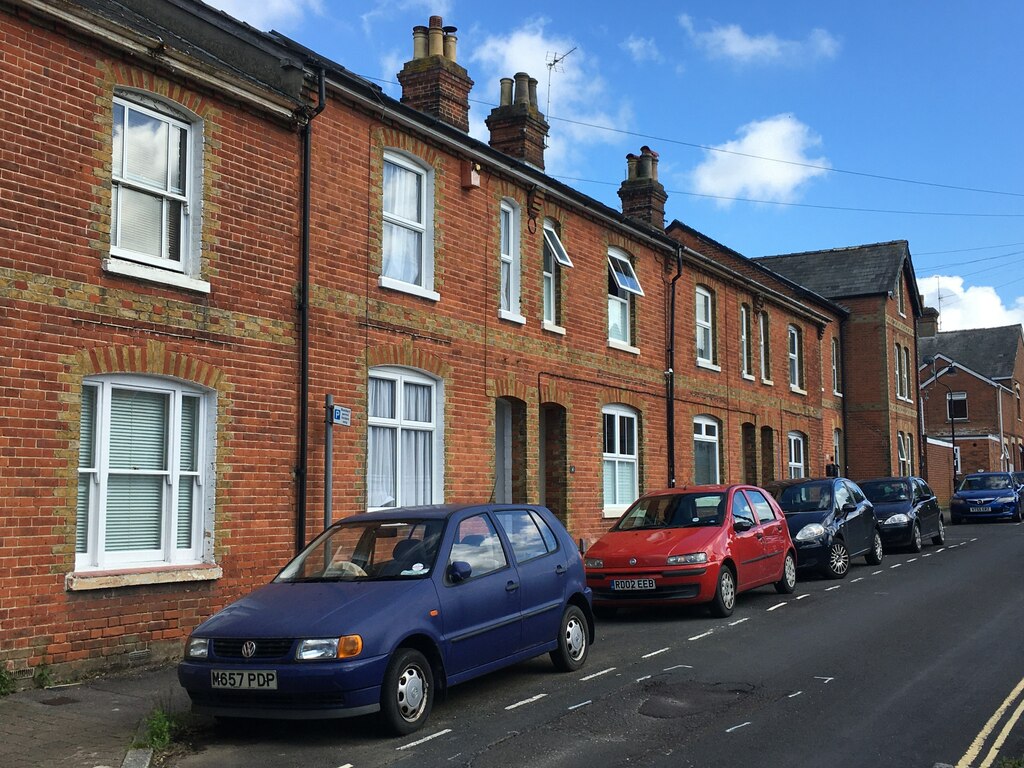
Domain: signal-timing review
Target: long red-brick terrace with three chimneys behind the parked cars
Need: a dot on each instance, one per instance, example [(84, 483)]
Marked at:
[(208, 232)]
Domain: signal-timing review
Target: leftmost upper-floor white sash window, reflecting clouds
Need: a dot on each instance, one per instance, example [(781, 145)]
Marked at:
[(151, 186)]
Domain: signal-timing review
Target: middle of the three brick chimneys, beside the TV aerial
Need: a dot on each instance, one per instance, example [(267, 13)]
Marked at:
[(518, 127)]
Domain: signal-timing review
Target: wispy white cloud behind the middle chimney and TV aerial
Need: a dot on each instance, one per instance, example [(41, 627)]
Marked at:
[(579, 94)]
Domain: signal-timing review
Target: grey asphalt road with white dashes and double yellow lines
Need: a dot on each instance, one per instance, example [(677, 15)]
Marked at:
[(911, 663)]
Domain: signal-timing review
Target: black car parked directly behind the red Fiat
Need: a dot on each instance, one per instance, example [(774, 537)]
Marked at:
[(831, 522)]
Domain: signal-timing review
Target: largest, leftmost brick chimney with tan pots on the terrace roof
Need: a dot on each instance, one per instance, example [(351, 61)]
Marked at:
[(433, 82)]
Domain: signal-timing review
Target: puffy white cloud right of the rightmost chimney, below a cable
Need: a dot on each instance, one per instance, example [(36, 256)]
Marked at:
[(734, 175)]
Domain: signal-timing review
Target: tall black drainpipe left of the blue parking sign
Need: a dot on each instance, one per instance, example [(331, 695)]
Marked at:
[(304, 465)]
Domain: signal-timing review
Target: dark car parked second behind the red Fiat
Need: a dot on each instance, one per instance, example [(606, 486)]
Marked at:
[(908, 511)]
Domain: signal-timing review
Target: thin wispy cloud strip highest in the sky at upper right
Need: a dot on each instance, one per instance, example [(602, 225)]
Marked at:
[(731, 42)]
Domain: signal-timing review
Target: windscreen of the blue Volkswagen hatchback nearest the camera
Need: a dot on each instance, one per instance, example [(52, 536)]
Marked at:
[(369, 550)]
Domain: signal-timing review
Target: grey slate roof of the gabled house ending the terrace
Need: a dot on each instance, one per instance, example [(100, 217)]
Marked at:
[(844, 273)]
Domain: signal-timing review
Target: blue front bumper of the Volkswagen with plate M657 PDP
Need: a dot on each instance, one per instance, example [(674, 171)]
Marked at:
[(306, 691)]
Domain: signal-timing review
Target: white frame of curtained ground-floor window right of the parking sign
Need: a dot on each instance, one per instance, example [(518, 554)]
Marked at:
[(400, 424)]
